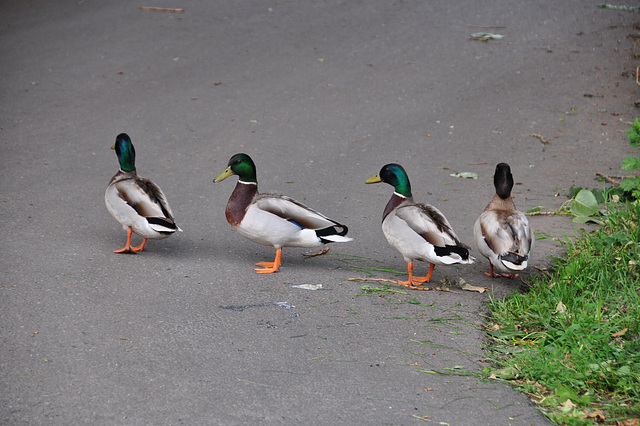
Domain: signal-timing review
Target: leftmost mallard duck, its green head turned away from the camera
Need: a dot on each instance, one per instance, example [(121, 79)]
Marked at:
[(138, 204)]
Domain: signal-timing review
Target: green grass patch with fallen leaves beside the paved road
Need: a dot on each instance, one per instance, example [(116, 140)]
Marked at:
[(573, 341)]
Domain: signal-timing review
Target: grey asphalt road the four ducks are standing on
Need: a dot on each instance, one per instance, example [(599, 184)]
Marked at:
[(321, 94)]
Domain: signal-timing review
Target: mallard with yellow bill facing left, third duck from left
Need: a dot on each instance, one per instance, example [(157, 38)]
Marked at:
[(418, 231)]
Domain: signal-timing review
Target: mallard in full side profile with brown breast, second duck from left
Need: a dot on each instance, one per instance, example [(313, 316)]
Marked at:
[(274, 220)]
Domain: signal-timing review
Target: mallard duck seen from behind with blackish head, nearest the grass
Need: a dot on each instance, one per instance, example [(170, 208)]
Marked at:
[(501, 232)]
